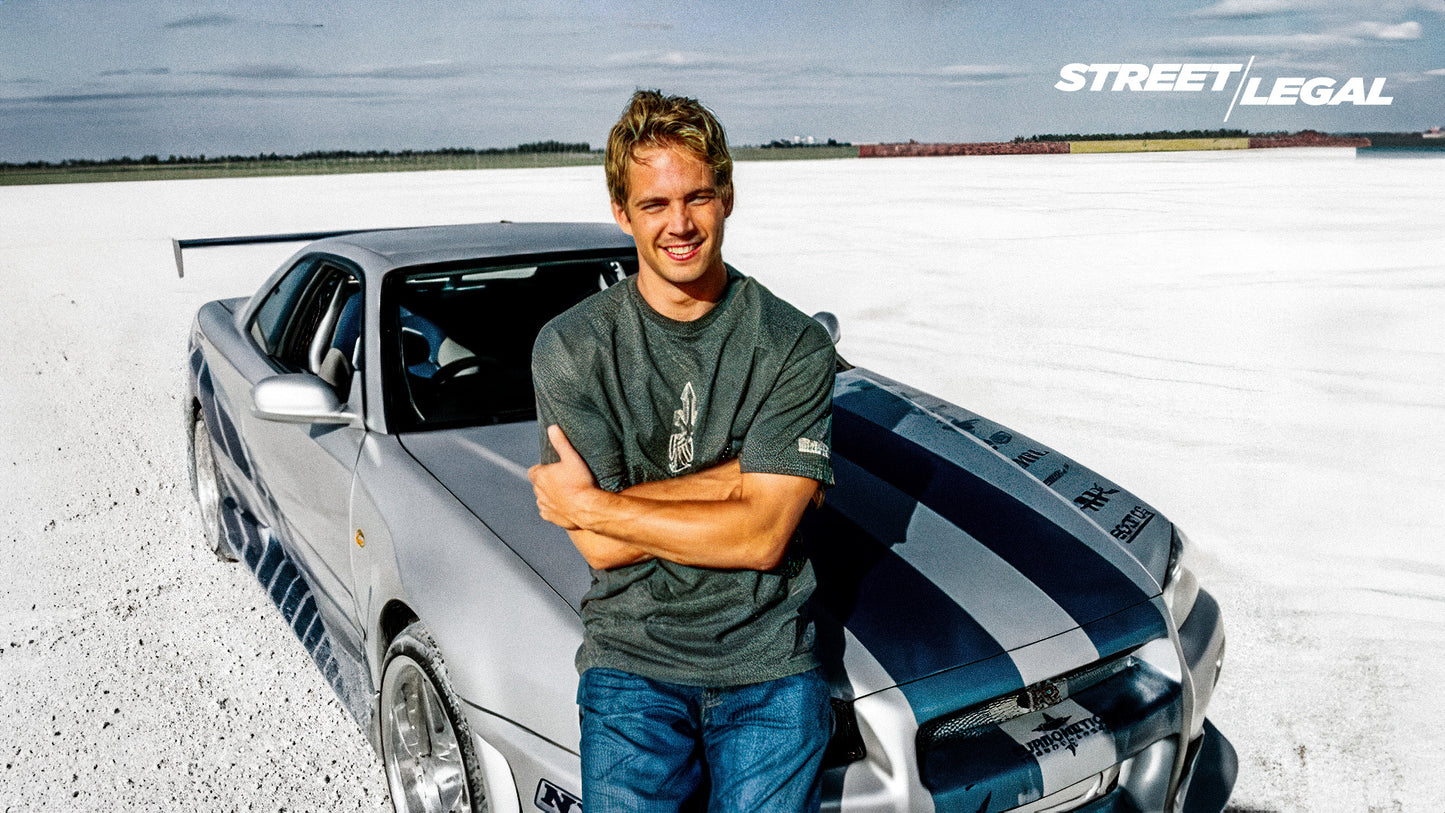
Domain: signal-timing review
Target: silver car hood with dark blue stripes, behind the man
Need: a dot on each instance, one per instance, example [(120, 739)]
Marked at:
[(949, 539)]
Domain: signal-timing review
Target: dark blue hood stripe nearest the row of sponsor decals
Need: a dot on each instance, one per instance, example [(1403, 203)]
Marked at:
[(1071, 573)]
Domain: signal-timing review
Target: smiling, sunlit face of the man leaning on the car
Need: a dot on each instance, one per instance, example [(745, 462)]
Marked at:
[(676, 214)]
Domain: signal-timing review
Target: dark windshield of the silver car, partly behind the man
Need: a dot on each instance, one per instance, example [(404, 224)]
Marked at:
[(459, 339)]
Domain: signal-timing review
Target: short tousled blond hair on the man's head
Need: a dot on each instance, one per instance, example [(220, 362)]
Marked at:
[(655, 121)]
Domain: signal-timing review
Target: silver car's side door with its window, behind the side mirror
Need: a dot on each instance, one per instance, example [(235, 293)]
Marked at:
[(311, 323)]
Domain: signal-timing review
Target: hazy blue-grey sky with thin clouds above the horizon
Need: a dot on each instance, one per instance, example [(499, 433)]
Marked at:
[(111, 79)]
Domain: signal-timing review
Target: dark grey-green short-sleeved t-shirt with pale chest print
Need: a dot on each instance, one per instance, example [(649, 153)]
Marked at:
[(645, 398)]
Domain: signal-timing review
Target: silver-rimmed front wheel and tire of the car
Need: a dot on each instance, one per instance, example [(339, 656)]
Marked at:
[(427, 750)]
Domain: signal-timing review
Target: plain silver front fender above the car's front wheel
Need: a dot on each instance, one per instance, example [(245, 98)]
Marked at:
[(508, 638)]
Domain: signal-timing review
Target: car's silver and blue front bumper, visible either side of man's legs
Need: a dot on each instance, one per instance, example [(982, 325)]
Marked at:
[(1121, 753)]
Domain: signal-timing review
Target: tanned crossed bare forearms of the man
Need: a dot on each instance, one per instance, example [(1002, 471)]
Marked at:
[(719, 518)]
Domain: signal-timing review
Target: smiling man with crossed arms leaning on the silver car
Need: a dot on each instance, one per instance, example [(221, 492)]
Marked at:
[(686, 419)]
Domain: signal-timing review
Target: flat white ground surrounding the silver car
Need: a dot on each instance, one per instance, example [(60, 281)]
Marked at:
[(1252, 342)]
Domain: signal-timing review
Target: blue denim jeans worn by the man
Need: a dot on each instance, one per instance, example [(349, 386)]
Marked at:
[(654, 747)]
